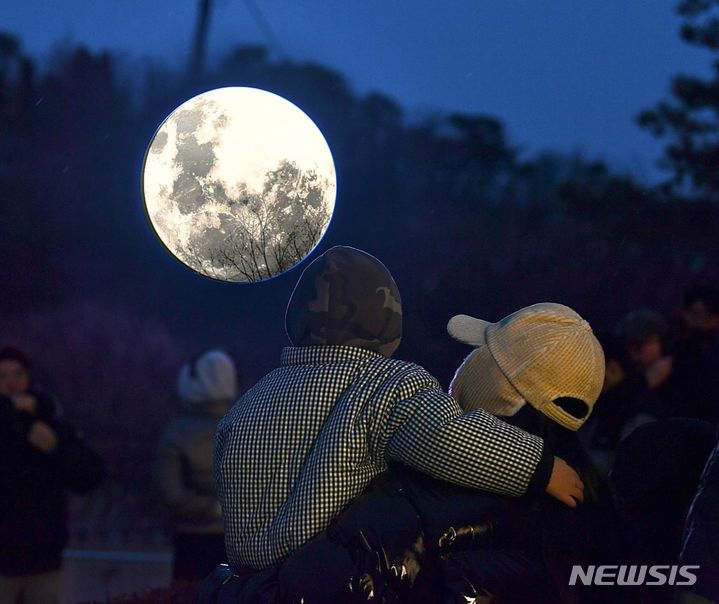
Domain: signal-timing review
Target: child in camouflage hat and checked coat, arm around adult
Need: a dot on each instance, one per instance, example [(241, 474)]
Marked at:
[(309, 437)]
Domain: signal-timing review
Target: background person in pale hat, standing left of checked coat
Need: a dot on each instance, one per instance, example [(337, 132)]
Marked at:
[(207, 387)]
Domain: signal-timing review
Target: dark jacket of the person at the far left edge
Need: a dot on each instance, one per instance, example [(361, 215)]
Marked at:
[(33, 526)]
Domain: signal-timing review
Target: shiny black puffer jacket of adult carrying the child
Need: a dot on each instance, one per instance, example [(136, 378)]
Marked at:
[(408, 538)]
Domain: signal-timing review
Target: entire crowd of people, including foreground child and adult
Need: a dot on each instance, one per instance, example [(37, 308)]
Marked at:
[(345, 475)]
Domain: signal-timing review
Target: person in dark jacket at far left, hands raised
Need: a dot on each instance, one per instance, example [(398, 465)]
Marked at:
[(41, 456)]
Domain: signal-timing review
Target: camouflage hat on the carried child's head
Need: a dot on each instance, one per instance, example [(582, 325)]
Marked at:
[(346, 298)]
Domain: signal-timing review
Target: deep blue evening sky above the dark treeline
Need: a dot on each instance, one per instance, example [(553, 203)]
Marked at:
[(566, 75)]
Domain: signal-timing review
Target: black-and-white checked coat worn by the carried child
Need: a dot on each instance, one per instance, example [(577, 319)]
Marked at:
[(309, 436)]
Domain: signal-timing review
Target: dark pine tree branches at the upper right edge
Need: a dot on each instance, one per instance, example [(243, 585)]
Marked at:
[(690, 121)]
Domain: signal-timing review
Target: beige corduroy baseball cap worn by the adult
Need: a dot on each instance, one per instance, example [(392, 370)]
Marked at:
[(536, 355)]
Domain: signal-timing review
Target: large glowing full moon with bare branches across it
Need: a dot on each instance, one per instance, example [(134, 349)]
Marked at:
[(239, 184)]
